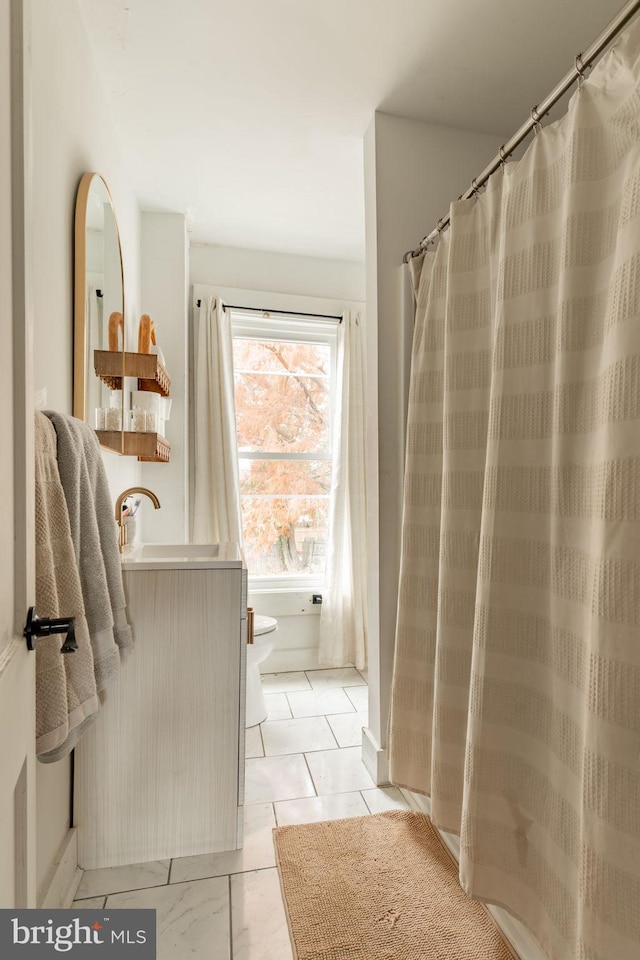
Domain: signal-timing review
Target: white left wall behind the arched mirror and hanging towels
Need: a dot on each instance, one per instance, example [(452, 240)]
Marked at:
[(72, 133)]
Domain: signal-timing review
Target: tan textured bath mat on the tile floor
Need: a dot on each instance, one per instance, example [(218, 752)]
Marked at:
[(379, 888)]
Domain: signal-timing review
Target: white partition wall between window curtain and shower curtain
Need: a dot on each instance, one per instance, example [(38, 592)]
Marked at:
[(413, 171)]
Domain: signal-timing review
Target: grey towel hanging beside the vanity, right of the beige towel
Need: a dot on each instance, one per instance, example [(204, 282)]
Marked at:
[(95, 540)]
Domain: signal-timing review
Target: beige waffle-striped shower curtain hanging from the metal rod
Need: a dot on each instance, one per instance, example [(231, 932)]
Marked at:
[(516, 689)]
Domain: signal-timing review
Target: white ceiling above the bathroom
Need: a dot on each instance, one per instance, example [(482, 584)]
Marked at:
[(249, 115)]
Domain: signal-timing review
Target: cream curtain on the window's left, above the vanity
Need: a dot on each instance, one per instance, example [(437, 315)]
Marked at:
[(216, 510)]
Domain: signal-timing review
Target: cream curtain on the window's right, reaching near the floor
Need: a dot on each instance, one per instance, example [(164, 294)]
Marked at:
[(343, 617)]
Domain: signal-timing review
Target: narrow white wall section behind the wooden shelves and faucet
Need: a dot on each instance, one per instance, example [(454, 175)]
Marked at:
[(164, 289)]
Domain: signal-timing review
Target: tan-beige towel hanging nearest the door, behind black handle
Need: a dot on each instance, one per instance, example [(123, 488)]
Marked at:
[(66, 695)]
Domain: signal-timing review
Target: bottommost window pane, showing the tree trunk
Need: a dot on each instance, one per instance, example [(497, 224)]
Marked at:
[(285, 535)]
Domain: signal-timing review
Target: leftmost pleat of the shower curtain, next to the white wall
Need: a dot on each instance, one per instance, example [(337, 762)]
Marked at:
[(413, 676)]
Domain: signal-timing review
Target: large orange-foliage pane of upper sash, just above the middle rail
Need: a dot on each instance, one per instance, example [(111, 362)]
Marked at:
[(278, 413)]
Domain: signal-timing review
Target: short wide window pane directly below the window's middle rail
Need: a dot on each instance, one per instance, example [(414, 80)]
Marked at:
[(277, 478)]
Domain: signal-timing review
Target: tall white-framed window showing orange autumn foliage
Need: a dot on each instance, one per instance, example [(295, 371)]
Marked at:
[(284, 372)]
